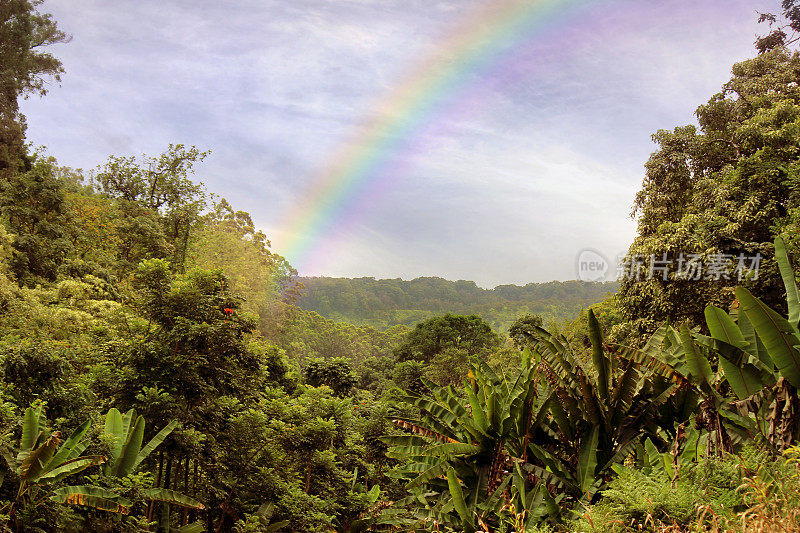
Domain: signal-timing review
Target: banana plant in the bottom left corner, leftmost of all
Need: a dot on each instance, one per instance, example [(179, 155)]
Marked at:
[(42, 461)]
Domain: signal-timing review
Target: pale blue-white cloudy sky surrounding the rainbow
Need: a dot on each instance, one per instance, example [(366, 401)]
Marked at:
[(531, 155)]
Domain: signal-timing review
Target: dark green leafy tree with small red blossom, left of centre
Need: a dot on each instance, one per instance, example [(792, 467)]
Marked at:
[(191, 363)]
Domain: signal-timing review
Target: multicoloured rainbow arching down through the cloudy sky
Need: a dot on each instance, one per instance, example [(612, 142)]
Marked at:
[(348, 183)]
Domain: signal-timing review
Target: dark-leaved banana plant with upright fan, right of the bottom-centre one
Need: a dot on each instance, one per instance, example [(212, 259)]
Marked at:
[(601, 410)]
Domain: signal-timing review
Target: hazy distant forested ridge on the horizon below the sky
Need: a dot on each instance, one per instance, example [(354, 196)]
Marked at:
[(382, 303)]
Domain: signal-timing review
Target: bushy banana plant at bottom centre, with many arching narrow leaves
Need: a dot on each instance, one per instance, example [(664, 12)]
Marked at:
[(460, 450)]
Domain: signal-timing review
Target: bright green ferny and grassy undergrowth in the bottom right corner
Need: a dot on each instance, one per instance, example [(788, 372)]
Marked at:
[(748, 492)]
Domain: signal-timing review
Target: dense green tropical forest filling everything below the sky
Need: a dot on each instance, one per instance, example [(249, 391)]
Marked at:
[(162, 368)]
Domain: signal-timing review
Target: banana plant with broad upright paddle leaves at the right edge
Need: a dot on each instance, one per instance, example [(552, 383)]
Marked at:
[(758, 354)]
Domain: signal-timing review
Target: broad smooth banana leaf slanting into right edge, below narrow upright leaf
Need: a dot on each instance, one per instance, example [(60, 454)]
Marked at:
[(776, 332)]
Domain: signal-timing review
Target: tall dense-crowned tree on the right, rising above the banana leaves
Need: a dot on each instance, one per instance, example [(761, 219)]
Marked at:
[(721, 191)]
